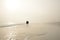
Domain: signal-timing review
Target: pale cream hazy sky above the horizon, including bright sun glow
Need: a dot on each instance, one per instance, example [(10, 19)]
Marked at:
[(36, 11)]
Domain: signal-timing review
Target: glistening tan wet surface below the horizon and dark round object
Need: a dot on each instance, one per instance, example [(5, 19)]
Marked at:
[(34, 31)]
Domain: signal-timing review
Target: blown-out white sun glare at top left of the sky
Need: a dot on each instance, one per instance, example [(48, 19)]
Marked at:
[(11, 4)]
